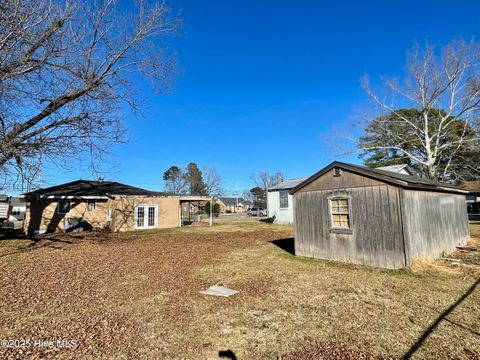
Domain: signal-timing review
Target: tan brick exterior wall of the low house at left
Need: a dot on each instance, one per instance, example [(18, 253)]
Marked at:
[(120, 212)]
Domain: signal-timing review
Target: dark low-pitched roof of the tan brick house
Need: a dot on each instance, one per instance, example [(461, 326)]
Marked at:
[(90, 189)]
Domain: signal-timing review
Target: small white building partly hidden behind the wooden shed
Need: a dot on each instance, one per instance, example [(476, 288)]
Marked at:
[(280, 202)]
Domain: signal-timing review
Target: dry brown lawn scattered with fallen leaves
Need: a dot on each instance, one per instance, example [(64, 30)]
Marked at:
[(136, 295)]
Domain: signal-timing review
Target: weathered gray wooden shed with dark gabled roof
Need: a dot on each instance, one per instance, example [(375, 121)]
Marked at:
[(376, 218)]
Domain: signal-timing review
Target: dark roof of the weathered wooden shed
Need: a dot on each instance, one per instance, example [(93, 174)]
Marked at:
[(405, 181)]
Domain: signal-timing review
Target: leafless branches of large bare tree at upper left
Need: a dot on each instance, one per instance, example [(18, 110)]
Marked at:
[(66, 68)]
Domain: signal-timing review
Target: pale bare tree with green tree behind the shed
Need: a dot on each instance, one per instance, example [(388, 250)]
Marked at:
[(443, 88)]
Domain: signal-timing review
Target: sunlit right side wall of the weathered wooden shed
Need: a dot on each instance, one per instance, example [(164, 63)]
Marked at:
[(434, 222)]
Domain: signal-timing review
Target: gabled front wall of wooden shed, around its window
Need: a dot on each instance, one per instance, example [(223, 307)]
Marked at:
[(376, 238)]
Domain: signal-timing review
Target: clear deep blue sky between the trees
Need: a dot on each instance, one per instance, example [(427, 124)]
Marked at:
[(266, 83)]
